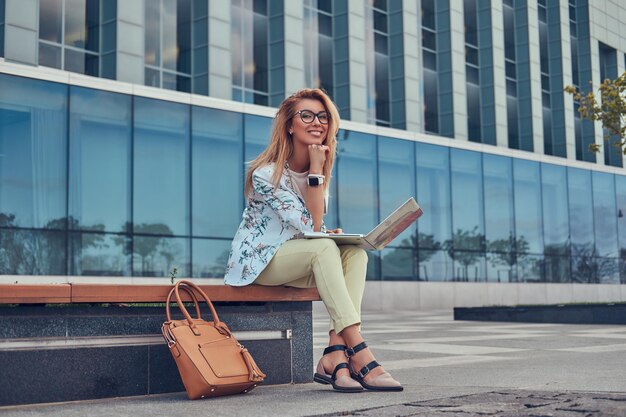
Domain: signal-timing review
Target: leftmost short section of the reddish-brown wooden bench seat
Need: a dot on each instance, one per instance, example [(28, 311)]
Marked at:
[(35, 293)]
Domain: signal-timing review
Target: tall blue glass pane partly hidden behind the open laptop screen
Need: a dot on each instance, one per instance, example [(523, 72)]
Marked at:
[(396, 164)]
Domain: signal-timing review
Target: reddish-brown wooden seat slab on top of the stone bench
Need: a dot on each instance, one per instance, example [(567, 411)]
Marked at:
[(139, 293)]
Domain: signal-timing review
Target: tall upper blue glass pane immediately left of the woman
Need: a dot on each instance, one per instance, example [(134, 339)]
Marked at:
[(217, 178)]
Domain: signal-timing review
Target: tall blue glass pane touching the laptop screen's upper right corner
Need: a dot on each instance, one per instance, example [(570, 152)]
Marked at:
[(433, 194)]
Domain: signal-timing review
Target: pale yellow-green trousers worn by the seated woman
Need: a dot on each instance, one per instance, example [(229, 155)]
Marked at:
[(338, 272)]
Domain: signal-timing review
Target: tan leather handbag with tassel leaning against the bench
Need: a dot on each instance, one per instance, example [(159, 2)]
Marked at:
[(210, 360)]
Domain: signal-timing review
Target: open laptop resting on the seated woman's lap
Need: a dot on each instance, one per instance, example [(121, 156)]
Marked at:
[(381, 235)]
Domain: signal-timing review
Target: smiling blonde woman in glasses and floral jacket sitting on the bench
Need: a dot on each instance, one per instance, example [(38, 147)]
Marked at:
[(286, 189)]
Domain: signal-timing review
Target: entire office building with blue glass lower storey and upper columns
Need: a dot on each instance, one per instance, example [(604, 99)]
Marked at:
[(104, 178)]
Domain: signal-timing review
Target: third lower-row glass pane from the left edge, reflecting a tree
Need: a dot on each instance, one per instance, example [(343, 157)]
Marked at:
[(156, 256)]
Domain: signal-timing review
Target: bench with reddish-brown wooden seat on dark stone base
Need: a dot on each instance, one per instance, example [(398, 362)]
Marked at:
[(78, 341)]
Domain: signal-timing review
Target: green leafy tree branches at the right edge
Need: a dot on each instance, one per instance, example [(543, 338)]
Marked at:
[(610, 109)]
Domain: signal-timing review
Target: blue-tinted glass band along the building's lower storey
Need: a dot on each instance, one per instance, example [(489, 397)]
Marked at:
[(102, 183)]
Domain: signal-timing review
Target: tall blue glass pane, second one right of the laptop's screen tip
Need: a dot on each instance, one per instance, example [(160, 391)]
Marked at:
[(467, 200)]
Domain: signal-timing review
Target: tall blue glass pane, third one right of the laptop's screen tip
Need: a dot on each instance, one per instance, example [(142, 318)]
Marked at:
[(499, 219)]
